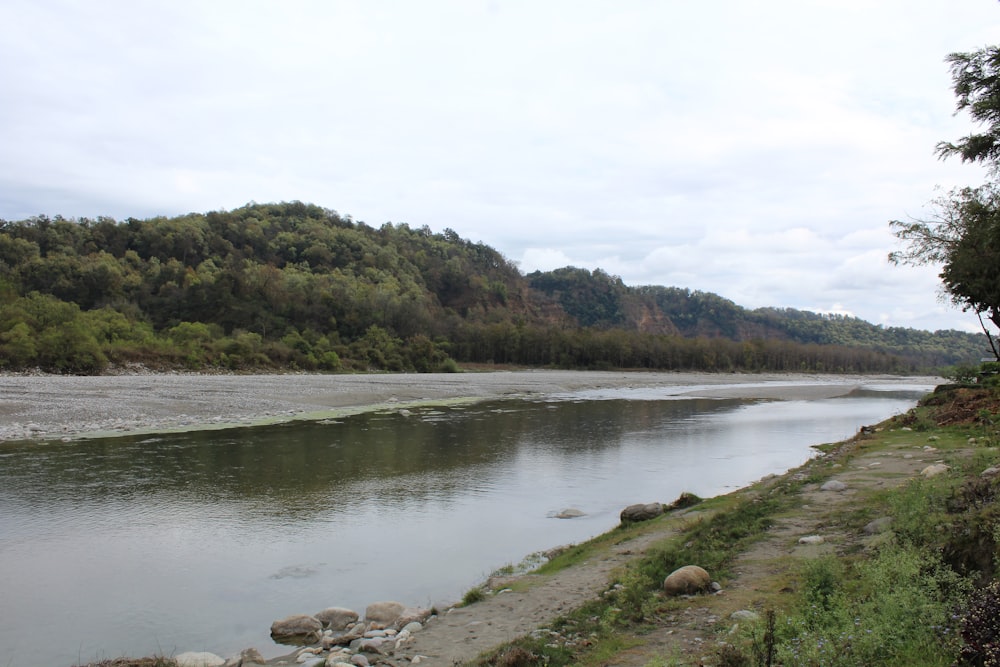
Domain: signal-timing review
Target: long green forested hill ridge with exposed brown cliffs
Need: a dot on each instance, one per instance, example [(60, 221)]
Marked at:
[(296, 286)]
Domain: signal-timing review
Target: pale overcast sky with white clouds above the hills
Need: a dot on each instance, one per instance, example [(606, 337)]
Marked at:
[(754, 150)]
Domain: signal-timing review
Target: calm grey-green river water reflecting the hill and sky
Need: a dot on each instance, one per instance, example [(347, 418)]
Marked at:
[(198, 541)]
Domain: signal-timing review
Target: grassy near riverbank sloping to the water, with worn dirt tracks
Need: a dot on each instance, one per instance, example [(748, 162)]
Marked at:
[(834, 527)]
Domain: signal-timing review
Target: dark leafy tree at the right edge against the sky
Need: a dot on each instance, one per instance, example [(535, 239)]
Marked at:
[(964, 236)]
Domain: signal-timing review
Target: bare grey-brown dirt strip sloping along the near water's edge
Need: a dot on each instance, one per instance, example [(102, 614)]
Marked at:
[(520, 605)]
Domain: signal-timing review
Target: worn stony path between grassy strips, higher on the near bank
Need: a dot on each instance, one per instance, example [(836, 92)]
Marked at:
[(765, 573)]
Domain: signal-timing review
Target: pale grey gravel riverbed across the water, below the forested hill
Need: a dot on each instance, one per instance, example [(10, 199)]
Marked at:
[(46, 406)]
